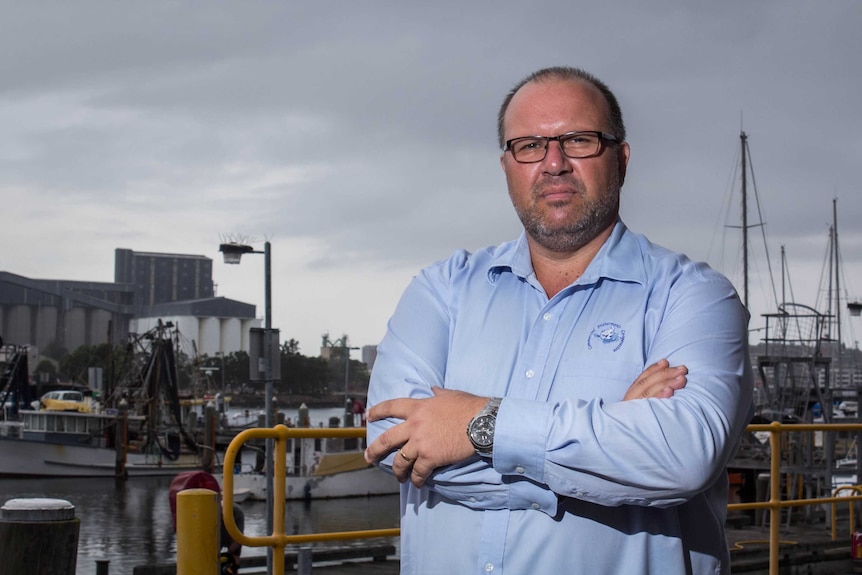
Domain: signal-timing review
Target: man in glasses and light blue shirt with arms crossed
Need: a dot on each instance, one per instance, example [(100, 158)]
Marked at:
[(498, 391)]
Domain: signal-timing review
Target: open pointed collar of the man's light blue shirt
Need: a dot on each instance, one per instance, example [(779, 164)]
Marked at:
[(620, 258)]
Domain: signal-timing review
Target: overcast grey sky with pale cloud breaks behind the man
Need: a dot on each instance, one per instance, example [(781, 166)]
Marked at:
[(359, 137)]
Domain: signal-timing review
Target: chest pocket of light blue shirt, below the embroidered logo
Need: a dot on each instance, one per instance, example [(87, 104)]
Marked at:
[(597, 378)]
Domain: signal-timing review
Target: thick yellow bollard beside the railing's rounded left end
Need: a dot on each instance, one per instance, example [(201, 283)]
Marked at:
[(197, 532)]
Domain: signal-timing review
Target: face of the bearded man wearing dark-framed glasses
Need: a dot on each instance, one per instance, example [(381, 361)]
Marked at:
[(563, 203)]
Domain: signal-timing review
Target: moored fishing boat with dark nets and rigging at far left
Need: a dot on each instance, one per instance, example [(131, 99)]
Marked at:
[(142, 434)]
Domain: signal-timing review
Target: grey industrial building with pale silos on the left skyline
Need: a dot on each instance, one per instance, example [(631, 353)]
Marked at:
[(147, 287)]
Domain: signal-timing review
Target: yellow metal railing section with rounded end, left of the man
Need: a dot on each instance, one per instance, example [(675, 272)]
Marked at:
[(278, 540)]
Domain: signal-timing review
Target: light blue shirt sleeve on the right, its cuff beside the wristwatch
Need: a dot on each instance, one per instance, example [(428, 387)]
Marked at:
[(651, 452)]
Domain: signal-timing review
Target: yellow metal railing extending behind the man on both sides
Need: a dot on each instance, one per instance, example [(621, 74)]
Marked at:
[(282, 434)]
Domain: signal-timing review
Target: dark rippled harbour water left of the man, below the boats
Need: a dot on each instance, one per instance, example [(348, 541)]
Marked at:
[(130, 523)]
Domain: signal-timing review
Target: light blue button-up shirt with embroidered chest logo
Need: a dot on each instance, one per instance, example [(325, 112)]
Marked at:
[(580, 482)]
